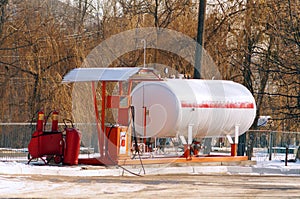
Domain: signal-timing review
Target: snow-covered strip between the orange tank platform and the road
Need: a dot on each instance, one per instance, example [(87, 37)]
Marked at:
[(262, 166)]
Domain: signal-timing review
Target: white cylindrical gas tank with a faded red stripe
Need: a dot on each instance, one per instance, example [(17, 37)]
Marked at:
[(212, 107)]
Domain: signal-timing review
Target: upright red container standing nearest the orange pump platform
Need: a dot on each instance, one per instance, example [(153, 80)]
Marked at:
[(72, 146)]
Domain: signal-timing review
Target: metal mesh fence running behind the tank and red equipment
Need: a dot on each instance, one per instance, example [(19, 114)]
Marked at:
[(14, 139)]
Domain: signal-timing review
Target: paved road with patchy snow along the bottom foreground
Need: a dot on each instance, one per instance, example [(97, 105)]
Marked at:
[(175, 186)]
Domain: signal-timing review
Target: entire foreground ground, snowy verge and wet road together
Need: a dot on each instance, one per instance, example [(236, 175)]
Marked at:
[(265, 179)]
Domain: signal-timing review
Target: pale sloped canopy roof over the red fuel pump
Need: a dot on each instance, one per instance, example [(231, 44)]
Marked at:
[(100, 74)]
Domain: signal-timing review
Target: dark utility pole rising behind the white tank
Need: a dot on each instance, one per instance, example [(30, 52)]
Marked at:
[(200, 33)]
